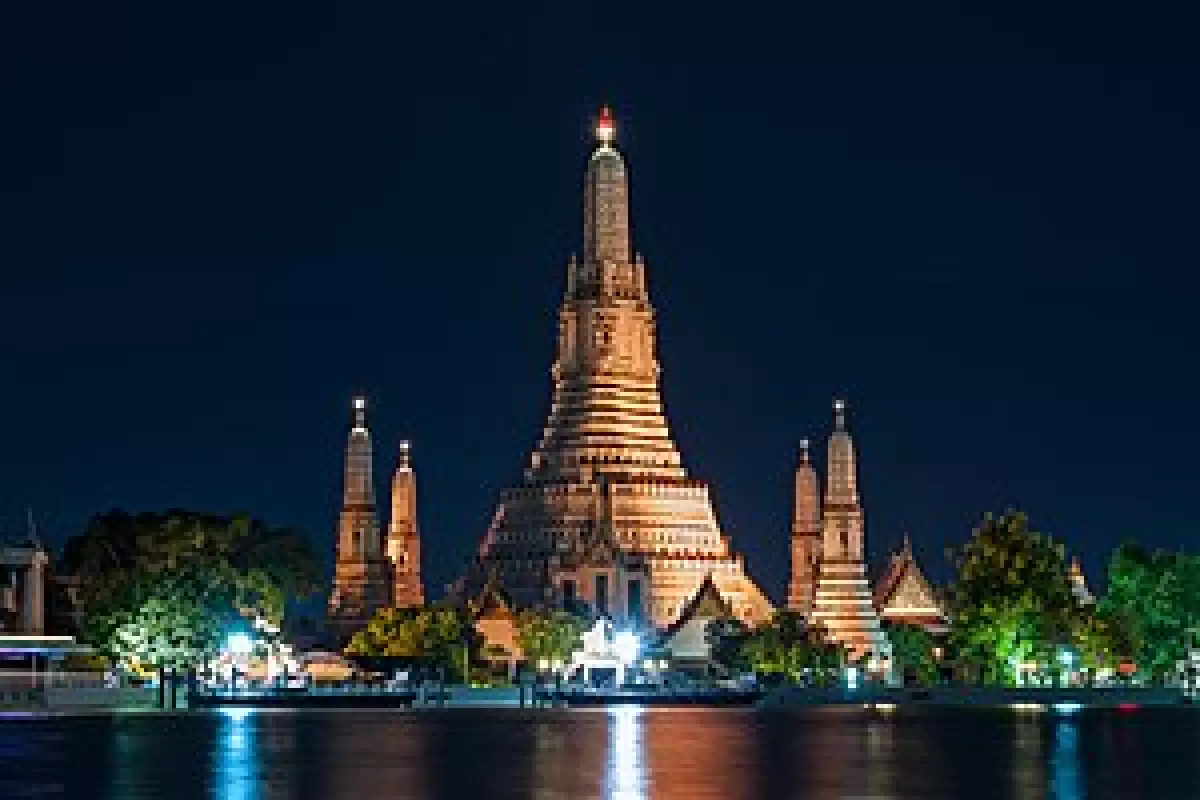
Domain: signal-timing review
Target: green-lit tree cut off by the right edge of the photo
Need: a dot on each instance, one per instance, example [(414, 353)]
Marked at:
[(1154, 601)]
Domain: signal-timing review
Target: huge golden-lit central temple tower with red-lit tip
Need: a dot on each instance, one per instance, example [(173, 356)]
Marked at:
[(608, 515)]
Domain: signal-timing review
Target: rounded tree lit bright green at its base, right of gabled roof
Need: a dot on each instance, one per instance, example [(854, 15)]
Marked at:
[(1011, 601)]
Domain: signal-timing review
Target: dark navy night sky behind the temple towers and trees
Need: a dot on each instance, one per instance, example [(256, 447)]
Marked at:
[(220, 222)]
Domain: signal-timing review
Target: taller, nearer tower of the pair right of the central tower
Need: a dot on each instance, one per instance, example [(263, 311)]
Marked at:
[(844, 604)]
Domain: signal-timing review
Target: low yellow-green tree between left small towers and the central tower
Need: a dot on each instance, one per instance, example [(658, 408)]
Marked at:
[(437, 636)]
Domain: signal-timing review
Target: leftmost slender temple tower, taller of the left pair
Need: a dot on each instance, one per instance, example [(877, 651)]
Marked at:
[(361, 575)]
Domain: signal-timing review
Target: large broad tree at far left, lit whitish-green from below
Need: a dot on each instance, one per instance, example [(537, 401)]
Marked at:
[(163, 591)]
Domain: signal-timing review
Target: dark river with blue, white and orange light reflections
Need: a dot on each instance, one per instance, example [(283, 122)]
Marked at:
[(617, 755)]
